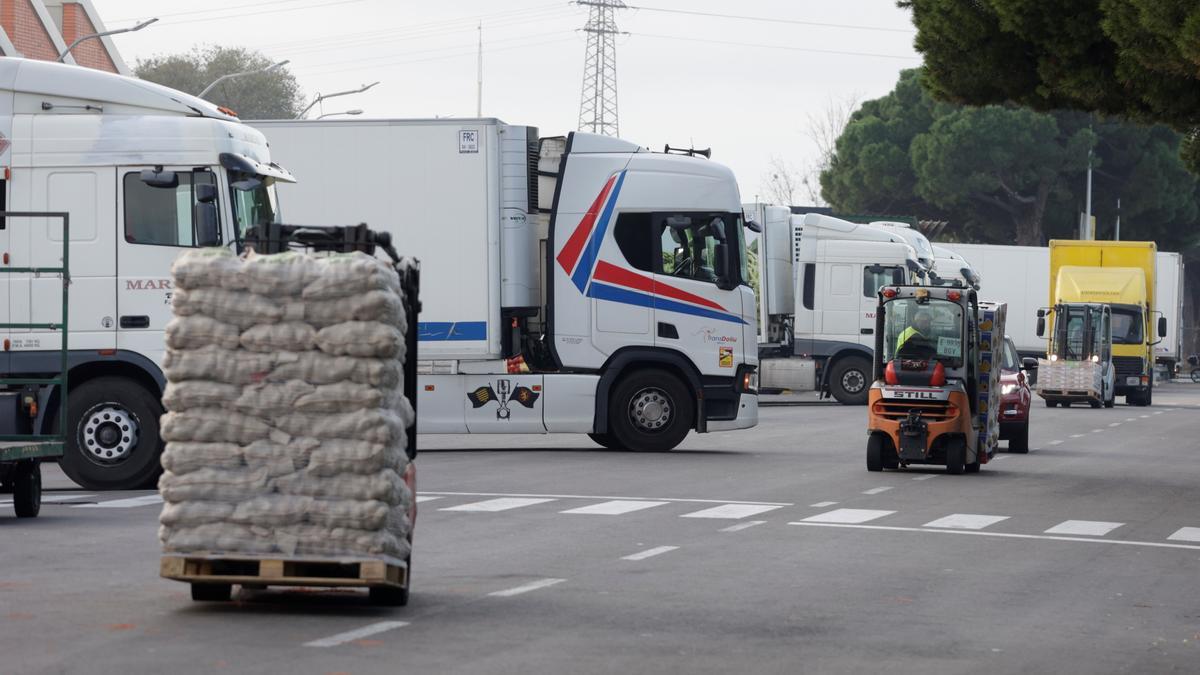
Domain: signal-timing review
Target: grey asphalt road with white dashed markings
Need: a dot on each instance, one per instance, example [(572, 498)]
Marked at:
[(771, 551)]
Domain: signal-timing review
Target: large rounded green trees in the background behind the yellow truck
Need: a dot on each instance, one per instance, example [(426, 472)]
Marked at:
[(1007, 175)]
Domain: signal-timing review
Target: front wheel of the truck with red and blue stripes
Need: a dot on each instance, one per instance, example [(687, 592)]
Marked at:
[(650, 410)]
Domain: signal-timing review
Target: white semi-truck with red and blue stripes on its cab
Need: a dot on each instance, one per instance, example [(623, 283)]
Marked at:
[(569, 285)]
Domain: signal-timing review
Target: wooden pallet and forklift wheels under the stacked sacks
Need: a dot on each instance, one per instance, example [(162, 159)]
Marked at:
[(213, 576)]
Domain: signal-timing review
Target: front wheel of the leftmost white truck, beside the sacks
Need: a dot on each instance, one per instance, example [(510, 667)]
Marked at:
[(112, 435)]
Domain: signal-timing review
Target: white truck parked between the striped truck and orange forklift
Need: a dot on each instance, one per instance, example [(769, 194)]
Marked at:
[(838, 271)]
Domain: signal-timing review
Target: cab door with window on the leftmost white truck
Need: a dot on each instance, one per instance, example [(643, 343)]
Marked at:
[(160, 218)]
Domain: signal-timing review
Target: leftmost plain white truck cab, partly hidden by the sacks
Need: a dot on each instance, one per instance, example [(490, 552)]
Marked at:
[(145, 172)]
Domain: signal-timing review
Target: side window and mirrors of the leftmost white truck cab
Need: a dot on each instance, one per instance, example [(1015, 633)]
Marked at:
[(164, 216)]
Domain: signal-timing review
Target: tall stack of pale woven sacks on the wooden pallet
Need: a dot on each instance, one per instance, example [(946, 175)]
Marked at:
[(286, 422)]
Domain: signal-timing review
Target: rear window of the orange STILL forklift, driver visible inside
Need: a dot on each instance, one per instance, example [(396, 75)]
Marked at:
[(923, 331)]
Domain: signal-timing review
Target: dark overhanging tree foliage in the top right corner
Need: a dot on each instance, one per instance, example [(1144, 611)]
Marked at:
[(1138, 59)]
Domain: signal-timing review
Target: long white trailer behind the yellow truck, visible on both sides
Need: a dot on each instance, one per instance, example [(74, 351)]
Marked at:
[(1021, 276)]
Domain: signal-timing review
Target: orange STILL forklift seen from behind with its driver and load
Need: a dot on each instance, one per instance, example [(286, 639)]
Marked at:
[(935, 397)]
